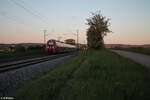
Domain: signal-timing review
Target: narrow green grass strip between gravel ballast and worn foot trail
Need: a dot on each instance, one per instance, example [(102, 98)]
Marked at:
[(47, 87)]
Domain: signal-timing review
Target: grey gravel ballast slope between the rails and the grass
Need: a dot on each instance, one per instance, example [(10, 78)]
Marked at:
[(9, 81)]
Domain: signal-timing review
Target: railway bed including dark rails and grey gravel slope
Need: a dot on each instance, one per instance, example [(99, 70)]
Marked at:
[(18, 74)]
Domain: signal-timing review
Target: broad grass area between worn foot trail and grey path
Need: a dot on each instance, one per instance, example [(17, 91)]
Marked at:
[(105, 75)]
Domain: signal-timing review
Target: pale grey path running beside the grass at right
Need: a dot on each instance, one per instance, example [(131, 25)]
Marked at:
[(140, 58)]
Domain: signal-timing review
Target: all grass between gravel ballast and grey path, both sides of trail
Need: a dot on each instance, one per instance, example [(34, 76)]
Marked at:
[(104, 75)]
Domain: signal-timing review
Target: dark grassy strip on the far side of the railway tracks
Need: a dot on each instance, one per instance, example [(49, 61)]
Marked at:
[(19, 55)]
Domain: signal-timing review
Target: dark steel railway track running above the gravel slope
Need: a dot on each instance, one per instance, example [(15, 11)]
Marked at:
[(24, 63)]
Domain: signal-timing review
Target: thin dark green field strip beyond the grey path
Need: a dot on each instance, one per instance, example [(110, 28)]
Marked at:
[(136, 49)]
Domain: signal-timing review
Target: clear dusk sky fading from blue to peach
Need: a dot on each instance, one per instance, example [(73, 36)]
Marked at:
[(23, 21)]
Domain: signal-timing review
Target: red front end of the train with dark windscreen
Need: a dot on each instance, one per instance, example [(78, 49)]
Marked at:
[(50, 46)]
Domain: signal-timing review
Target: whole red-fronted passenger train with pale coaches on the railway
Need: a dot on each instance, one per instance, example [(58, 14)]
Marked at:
[(54, 46)]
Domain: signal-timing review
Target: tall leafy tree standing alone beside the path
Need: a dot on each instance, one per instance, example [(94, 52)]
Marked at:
[(98, 28)]
